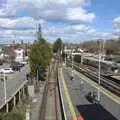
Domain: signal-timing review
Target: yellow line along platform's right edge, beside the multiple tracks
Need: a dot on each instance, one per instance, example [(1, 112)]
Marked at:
[(101, 90)]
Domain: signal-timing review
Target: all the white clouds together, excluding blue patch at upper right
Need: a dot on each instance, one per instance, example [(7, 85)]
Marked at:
[(72, 12)]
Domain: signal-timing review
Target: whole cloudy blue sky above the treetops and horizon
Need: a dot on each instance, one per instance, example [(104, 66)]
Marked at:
[(73, 21)]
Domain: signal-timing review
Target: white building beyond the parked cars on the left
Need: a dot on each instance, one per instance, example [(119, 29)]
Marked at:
[(19, 55)]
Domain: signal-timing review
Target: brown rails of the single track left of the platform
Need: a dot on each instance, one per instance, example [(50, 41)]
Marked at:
[(51, 76)]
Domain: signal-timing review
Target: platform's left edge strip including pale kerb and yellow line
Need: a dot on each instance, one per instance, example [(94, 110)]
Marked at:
[(69, 110)]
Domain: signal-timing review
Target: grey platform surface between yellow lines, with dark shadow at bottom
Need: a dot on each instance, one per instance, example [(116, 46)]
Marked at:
[(109, 109)]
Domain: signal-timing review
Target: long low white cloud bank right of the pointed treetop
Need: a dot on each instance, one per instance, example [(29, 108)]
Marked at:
[(77, 33)]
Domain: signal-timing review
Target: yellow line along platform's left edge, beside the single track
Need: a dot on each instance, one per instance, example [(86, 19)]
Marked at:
[(71, 107)]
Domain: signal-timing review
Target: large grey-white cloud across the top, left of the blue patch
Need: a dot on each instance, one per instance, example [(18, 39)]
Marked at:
[(50, 10)]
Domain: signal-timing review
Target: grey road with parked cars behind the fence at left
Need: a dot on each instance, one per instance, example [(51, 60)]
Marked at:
[(13, 83)]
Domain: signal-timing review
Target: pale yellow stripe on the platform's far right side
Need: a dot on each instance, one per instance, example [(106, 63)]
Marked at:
[(106, 92)]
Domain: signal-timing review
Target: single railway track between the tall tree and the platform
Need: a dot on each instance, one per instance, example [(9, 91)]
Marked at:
[(49, 109)]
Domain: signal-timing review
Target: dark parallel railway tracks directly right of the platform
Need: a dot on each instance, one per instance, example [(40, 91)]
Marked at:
[(111, 84)]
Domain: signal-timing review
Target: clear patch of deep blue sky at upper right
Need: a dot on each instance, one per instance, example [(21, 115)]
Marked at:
[(106, 11)]
